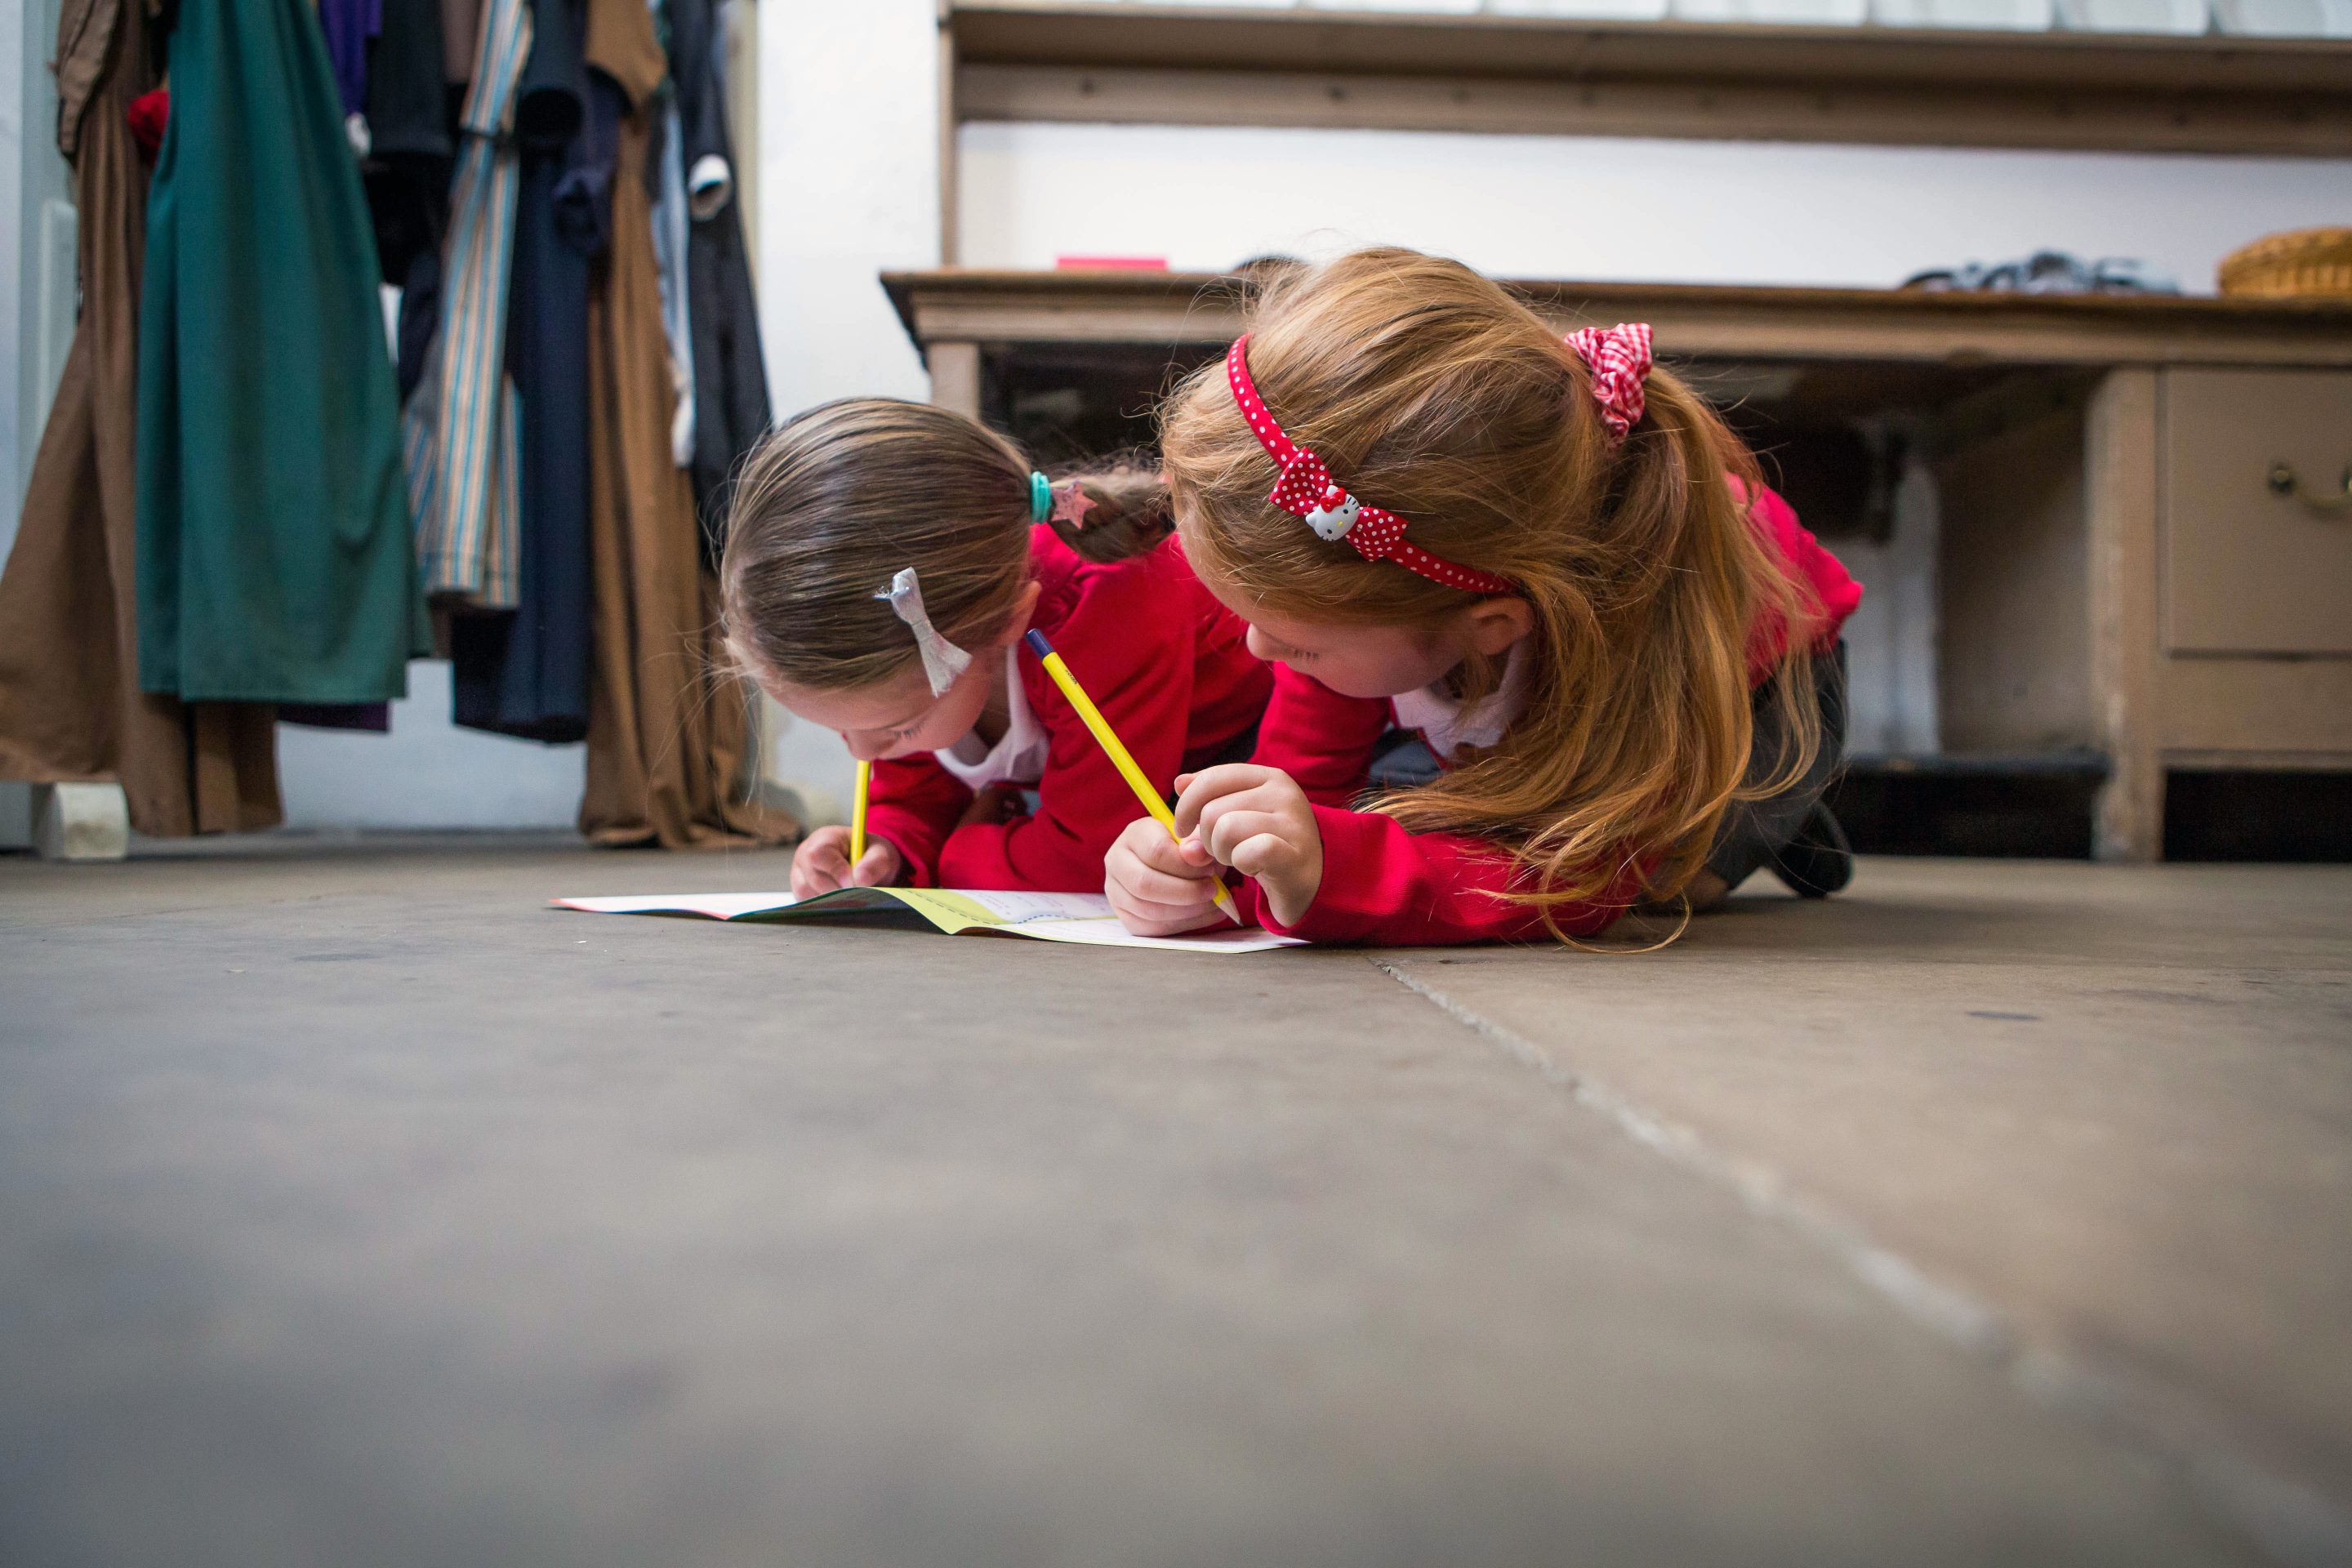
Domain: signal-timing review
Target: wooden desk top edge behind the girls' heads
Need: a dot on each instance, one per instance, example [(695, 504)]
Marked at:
[(1692, 321)]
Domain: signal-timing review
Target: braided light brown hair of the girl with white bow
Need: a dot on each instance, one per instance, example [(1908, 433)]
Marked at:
[(848, 495)]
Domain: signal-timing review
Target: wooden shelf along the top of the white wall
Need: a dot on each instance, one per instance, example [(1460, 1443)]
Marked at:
[(1156, 65)]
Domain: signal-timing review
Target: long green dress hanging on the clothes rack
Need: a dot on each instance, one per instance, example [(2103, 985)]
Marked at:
[(274, 530)]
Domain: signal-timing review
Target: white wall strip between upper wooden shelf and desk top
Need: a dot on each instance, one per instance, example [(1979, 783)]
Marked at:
[(1608, 210)]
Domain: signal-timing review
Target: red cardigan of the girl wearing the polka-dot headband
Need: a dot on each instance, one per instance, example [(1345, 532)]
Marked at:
[(1394, 887)]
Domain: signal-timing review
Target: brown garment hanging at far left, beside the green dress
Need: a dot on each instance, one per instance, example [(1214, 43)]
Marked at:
[(69, 685)]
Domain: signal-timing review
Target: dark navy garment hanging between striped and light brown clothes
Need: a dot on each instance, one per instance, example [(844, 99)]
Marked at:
[(526, 671)]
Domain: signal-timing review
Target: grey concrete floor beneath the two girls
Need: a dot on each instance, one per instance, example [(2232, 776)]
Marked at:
[(356, 1209)]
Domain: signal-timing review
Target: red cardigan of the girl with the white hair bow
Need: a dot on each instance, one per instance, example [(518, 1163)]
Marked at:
[(1165, 664)]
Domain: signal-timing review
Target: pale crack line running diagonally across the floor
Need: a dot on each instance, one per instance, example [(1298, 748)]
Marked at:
[(2285, 1520)]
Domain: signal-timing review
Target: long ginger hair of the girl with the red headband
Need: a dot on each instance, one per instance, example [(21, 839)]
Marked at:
[(1438, 396)]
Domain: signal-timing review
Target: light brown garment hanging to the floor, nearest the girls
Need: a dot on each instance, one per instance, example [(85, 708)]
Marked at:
[(669, 725)]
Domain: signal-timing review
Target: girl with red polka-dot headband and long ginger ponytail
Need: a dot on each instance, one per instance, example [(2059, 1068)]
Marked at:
[(1546, 556)]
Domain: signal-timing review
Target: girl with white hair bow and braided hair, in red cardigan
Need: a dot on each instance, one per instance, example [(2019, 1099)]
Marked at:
[(883, 563)]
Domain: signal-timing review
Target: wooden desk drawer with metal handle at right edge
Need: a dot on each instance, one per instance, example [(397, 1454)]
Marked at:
[(2247, 570)]
